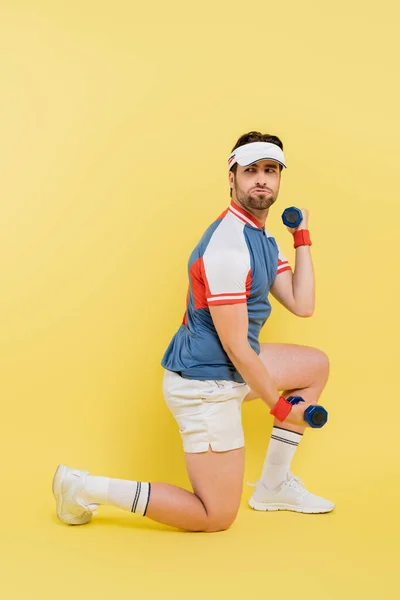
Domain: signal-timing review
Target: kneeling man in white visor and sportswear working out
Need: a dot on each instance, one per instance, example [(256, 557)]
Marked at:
[(215, 362)]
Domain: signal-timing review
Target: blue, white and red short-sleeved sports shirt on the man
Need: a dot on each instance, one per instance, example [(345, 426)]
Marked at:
[(236, 261)]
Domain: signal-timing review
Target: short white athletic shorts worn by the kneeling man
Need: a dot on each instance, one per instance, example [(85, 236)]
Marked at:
[(209, 413)]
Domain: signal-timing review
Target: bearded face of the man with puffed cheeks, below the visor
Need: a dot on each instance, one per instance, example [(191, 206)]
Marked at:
[(256, 187)]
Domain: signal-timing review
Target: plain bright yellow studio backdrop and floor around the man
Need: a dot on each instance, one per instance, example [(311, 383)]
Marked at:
[(116, 121)]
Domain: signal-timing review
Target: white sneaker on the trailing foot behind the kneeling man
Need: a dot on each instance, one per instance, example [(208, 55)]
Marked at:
[(67, 483)]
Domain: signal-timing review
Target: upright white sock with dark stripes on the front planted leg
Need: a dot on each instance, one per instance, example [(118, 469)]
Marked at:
[(281, 449)]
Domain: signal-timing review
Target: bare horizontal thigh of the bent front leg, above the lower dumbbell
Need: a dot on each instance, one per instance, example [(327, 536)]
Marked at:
[(294, 367)]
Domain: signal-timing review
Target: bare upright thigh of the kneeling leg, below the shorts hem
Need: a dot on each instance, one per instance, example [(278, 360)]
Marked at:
[(217, 479)]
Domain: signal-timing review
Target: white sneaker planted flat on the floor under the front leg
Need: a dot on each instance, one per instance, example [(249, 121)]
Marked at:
[(290, 495)]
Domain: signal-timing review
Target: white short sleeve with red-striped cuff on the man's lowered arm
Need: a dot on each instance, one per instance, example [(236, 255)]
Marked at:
[(226, 271)]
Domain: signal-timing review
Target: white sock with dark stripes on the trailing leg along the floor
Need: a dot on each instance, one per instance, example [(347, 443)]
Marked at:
[(128, 495)]
